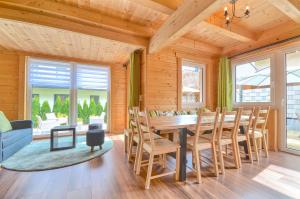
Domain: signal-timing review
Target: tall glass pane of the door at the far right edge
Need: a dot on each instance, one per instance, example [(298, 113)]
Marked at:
[(293, 100)]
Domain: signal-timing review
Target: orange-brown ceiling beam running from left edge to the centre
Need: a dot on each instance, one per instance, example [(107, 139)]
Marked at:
[(40, 18)]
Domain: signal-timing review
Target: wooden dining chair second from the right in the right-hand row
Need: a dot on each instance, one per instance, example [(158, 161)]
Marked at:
[(246, 122)]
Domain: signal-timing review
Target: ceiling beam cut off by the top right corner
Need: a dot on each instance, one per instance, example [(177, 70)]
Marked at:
[(291, 8)]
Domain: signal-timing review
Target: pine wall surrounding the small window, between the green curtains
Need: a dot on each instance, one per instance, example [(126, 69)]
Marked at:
[(161, 83)]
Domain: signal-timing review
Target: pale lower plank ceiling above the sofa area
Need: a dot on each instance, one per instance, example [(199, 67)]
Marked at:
[(51, 41)]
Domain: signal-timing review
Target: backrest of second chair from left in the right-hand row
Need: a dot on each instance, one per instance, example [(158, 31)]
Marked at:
[(230, 120)]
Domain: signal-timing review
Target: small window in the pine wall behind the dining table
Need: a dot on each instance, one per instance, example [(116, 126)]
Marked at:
[(192, 84)]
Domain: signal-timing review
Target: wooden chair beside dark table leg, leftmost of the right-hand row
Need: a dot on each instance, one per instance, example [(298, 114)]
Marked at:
[(207, 121)]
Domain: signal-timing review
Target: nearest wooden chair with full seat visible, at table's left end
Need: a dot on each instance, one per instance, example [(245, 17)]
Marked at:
[(154, 147)]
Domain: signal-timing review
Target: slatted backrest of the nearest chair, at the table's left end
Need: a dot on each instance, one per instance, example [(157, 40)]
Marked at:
[(143, 119)]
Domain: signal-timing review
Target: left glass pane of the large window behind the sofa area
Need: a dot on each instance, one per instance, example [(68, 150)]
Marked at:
[(50, 83)]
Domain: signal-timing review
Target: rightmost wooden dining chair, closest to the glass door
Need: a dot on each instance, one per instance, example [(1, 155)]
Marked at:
[(259, 130)]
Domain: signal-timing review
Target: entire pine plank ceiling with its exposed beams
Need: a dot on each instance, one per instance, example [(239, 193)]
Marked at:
[(111, 29)]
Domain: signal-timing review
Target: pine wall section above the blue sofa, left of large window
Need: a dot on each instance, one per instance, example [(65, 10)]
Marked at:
[(9, 83)]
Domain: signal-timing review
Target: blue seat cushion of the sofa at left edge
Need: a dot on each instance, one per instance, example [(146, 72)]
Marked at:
[(14, 136)]
